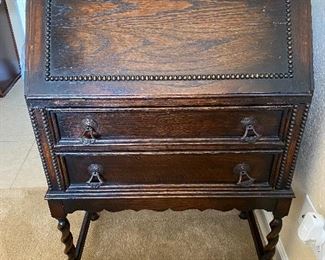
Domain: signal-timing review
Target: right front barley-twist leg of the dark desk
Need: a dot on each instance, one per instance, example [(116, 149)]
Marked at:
[(272, 238)]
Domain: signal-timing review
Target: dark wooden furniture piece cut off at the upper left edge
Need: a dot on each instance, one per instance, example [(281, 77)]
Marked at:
[(9, 59)]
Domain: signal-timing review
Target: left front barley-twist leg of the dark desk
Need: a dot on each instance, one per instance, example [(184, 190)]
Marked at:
[(67, 239)]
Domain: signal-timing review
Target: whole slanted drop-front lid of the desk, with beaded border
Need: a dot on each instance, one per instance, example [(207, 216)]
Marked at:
[(168, 48)]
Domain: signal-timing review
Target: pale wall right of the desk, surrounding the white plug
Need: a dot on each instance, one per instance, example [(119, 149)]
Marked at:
[(310, 170)]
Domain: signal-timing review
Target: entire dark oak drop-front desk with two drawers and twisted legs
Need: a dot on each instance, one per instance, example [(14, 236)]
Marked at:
[(169, 105)]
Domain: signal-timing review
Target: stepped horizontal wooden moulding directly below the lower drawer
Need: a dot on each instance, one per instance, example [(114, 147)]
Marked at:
[(167, 191)]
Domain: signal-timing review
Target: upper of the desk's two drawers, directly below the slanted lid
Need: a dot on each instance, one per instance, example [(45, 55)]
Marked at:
[(114, 125)]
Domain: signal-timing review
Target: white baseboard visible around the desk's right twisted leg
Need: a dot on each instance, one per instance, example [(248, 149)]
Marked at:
[(263, 219)]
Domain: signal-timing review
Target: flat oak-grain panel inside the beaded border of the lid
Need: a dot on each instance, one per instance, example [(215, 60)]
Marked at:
[(167, 37)]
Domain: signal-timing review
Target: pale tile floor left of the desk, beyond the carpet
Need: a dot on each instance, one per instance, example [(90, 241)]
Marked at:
[(20, 165)]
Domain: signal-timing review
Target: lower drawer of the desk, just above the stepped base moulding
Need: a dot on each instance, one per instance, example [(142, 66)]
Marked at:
[(252, 168)]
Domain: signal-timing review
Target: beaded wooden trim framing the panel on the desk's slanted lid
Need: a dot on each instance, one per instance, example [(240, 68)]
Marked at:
[(226, 76)]
